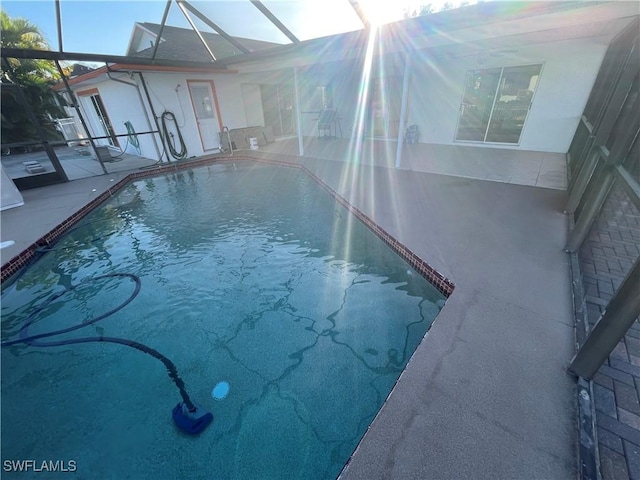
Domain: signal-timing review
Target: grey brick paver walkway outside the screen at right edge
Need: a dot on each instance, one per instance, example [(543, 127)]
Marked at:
[(611, 249)]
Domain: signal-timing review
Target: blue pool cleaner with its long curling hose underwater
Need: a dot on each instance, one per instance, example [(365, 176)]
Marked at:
[(187, 416)]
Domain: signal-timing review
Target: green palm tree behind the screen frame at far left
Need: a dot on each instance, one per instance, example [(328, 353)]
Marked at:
[(34, 76)]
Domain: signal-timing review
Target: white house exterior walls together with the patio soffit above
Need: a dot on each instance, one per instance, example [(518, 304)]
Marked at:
[(570, 58)]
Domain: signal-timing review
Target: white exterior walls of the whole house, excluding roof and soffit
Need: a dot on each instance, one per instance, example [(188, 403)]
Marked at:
[(435, 92)]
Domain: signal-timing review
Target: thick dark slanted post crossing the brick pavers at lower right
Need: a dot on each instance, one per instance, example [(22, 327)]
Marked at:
[(621, 312)]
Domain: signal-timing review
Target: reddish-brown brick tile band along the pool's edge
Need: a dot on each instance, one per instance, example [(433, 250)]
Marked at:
[(444, 285)]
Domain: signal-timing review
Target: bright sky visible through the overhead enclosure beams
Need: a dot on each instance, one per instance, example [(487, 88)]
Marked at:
[(104, 27)]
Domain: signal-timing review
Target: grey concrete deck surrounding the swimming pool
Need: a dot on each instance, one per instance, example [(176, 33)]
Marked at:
[(486, 394)]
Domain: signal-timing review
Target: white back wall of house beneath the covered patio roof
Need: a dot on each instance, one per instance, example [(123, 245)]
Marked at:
[(569, 69)]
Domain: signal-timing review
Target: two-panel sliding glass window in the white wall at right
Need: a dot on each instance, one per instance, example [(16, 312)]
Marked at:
[(496, 103)]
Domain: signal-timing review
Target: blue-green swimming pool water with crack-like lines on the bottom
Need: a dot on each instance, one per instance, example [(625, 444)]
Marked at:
[(284, 315)]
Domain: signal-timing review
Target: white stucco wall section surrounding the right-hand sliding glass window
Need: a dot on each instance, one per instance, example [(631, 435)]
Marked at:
[(569, 69)]
